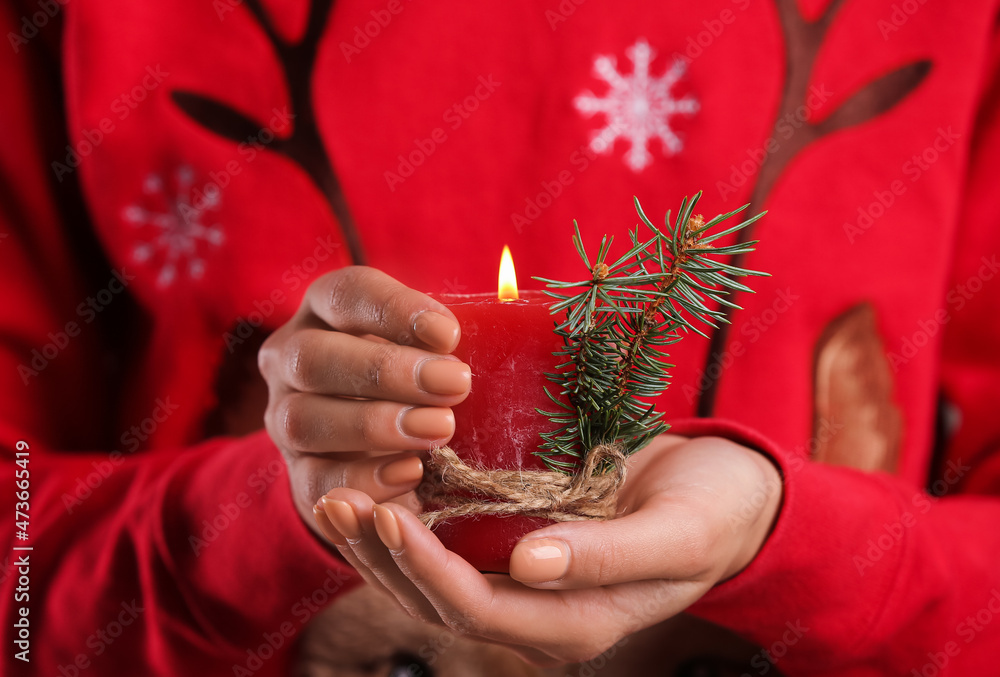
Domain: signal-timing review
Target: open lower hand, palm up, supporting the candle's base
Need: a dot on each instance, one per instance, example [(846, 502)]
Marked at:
[(692, 513)]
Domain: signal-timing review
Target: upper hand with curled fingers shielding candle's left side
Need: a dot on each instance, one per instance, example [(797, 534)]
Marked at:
[(361, 371)]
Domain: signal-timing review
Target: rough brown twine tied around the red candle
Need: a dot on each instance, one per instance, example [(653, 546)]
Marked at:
[(464, 490)]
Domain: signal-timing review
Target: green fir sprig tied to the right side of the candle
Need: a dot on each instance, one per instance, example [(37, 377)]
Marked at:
[(619, 321)]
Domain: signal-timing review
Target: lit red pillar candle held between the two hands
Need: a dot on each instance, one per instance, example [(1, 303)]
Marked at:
[(508, 344)]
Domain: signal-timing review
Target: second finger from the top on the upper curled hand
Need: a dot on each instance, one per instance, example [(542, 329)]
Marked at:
[(333, 363)]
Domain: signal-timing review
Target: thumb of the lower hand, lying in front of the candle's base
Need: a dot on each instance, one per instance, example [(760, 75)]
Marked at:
[(664, 538)]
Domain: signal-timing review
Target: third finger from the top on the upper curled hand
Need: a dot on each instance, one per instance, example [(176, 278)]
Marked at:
[(302, 422)]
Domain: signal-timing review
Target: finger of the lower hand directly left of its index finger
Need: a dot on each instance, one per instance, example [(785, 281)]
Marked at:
[(352, 514)]
